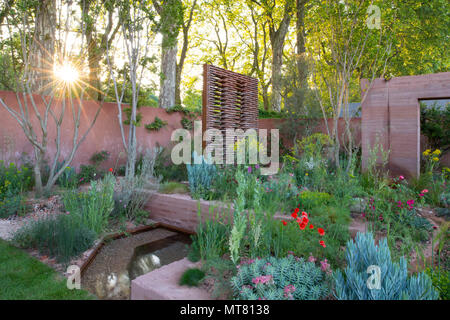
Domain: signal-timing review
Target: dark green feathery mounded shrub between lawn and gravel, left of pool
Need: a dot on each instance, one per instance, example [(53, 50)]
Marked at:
[(59, 236)]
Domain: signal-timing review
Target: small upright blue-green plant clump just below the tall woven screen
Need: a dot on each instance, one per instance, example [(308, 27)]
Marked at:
[(201, 174)]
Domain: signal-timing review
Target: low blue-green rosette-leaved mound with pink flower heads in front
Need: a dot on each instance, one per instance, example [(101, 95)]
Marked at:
[(288, 278)]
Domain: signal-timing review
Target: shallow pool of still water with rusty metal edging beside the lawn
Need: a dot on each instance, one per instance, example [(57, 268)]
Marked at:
[(119, 261)]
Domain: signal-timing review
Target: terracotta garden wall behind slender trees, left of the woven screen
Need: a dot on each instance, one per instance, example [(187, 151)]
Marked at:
[(105, 135)]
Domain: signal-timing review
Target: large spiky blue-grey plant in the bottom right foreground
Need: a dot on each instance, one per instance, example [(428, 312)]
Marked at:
[(394, 281)]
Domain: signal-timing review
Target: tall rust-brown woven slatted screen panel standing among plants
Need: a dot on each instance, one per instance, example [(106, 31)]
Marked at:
[(230, 100)]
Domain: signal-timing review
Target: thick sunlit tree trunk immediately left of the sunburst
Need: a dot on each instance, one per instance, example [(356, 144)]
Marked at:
[(43, 47)]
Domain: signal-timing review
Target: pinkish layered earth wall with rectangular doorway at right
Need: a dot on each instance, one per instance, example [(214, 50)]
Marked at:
[(391, 112)]
